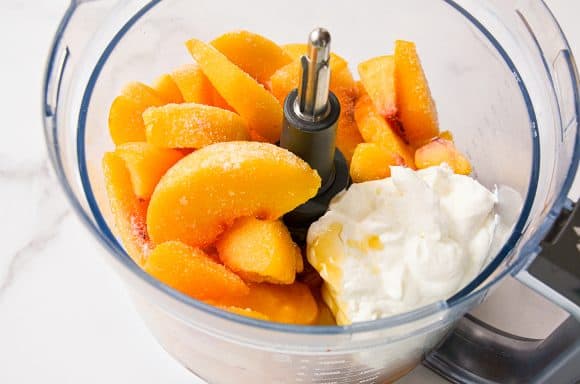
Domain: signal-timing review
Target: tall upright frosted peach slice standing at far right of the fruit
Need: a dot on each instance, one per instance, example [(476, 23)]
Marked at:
[(415, 105)]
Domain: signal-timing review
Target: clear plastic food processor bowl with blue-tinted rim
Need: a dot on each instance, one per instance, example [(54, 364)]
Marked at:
[(505, 84)]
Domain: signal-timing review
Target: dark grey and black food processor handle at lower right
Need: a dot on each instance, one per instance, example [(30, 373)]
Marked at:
[(478, 353)]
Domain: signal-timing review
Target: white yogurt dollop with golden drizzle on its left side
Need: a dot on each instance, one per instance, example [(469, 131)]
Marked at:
[(389, 246)]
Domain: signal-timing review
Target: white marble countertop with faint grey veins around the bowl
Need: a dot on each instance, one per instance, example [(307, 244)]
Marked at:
[(64, 315)]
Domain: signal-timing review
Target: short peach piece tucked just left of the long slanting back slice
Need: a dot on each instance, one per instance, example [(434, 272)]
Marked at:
[(193, 84)]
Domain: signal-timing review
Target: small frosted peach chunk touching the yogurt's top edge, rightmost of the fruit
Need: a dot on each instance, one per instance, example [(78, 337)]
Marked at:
[(441, 151)]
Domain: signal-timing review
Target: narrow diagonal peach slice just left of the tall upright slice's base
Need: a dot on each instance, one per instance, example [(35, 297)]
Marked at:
[(375, 129)]
